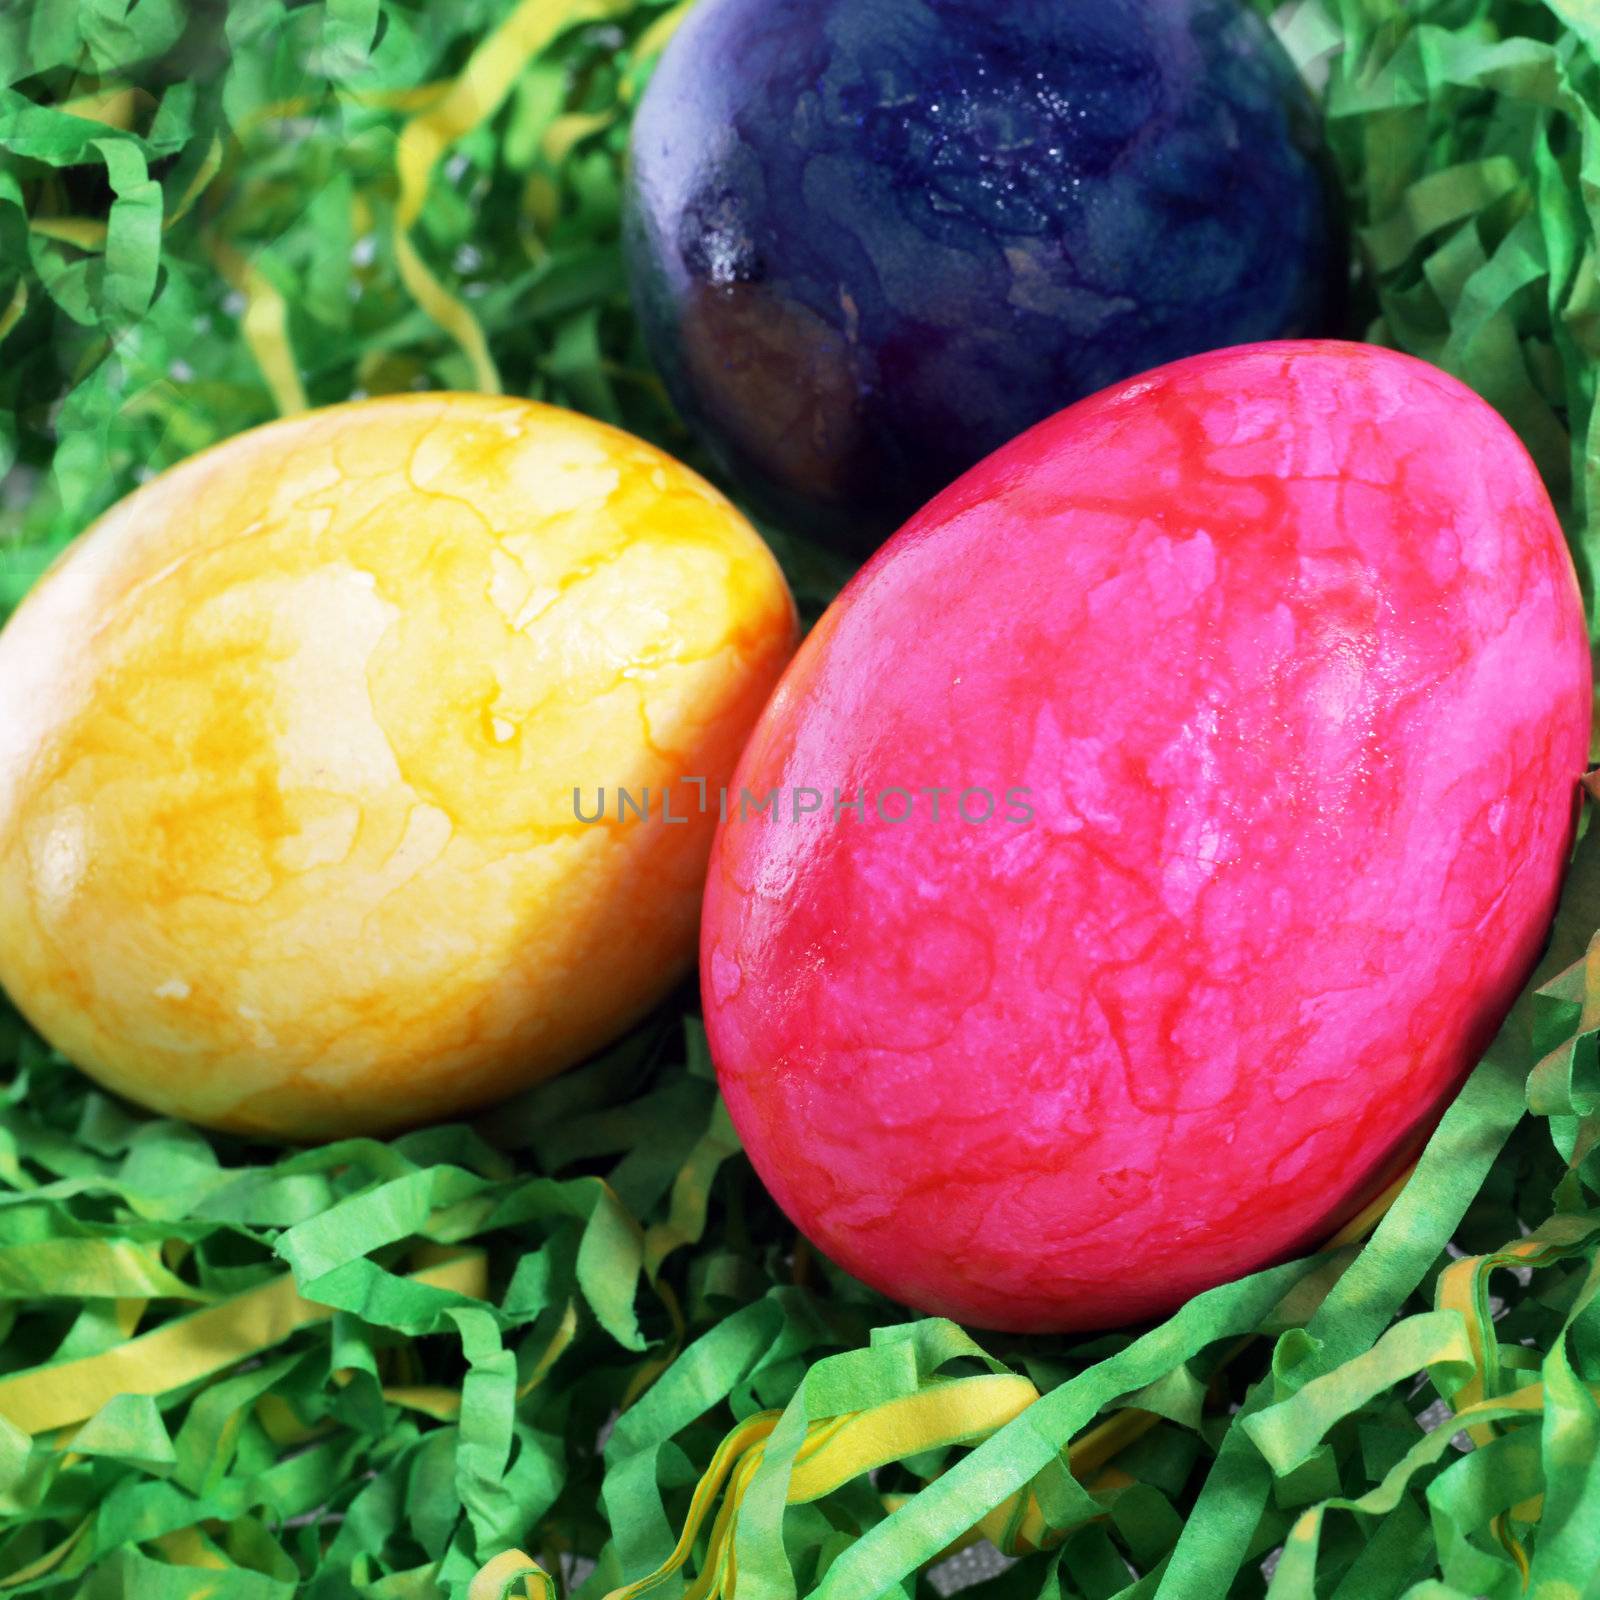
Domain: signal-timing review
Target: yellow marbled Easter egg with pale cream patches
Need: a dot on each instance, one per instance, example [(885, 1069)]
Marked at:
[(292, 746)]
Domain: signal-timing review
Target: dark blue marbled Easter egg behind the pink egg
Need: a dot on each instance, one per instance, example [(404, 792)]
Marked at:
[(871, 241)]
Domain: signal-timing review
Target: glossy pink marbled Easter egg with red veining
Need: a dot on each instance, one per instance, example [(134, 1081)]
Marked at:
[(1258, 694)]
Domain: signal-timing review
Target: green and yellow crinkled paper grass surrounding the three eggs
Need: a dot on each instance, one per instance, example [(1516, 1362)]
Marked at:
[(526, 1356)]
